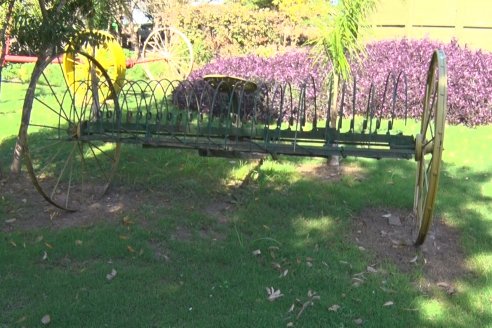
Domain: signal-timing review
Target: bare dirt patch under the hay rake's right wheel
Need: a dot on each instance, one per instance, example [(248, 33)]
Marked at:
[(388, 233)]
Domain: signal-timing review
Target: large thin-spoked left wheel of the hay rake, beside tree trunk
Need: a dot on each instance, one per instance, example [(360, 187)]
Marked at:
[(69, 136)]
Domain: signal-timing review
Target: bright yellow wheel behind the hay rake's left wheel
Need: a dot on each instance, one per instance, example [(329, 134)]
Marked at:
[(105, 49)]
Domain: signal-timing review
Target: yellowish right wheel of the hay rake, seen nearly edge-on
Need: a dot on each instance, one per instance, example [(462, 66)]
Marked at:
[(429, 145)]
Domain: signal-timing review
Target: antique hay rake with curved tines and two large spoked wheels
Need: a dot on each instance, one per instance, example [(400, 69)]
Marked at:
[(77, 125)]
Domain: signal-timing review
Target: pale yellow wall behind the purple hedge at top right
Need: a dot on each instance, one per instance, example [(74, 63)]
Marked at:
[(468, 21)]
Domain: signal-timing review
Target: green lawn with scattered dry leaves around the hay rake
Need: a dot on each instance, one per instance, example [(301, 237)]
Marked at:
[(178, 265)]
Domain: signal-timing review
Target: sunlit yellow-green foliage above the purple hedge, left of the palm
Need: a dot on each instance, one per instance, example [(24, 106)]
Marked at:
[(233, 30)]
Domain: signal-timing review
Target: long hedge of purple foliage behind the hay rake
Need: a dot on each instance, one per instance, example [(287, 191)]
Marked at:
[(469, 78)]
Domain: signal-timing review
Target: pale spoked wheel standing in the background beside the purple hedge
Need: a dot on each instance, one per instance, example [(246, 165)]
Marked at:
[(167, 54)]
